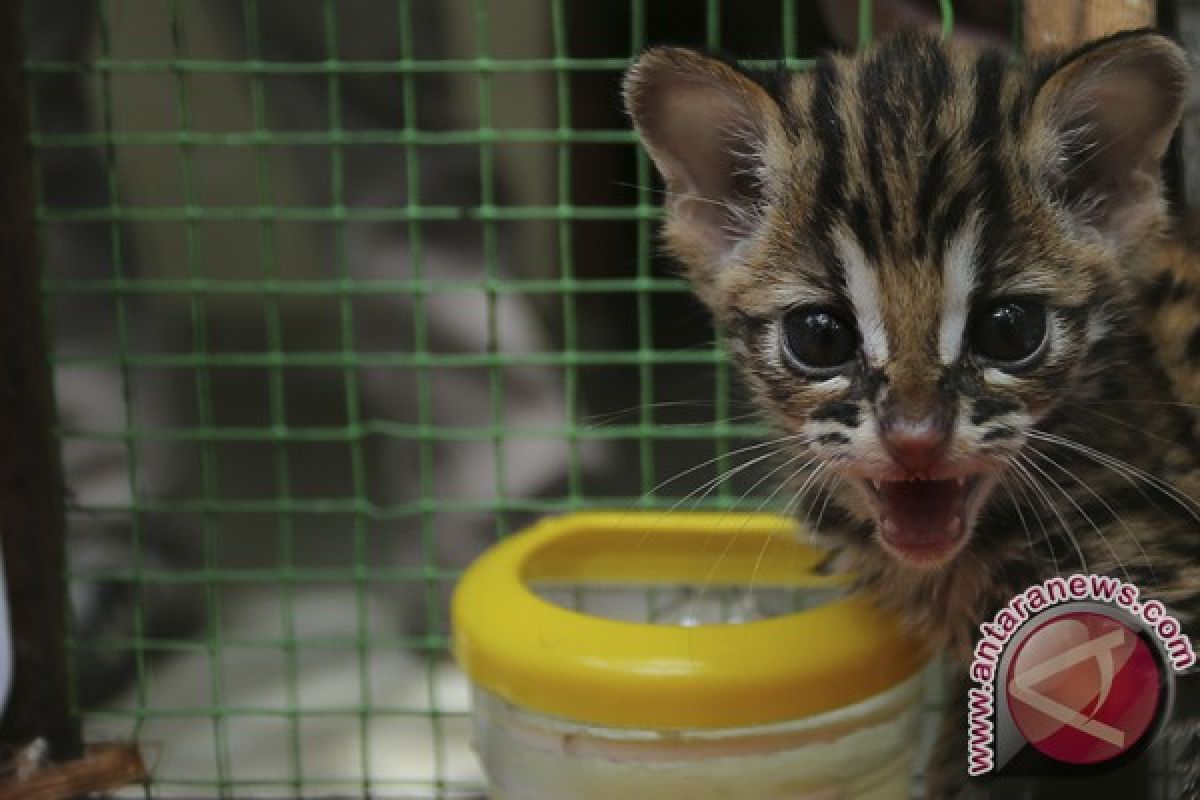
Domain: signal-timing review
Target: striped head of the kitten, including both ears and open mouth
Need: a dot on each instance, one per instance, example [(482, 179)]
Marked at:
[(917, 252)]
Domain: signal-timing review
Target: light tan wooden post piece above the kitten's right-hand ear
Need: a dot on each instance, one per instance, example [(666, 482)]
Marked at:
[(1065, 23)]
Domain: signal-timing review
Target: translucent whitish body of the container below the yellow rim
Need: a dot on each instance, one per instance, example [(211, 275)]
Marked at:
[(861, 753)]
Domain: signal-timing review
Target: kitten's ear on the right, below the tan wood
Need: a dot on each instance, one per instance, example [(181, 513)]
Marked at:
[(1111, 109)]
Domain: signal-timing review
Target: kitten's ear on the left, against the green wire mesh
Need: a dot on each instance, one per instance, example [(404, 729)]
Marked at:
[(707, 128)]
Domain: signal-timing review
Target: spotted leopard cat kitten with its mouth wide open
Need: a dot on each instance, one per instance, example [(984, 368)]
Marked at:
[(949, 278)]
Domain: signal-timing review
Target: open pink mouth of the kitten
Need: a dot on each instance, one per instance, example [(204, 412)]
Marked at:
[(923, 521)]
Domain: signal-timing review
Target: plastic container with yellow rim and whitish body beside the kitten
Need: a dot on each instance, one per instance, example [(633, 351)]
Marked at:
[(645, 655)]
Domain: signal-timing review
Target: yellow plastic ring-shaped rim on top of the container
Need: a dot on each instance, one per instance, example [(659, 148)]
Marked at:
[(572, 665)]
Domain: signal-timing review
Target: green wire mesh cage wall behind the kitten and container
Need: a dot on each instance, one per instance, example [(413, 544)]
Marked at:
[(340, 293)]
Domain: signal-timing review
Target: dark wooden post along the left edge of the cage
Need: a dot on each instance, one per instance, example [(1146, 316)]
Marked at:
[(32, 519)]
